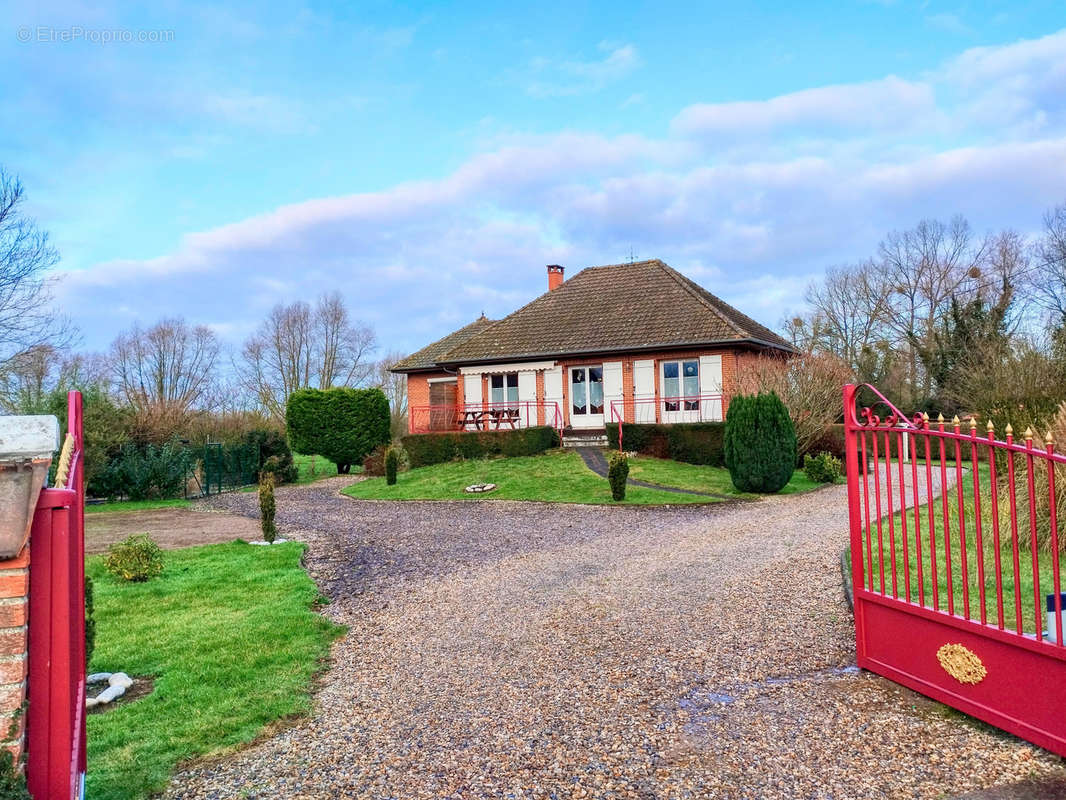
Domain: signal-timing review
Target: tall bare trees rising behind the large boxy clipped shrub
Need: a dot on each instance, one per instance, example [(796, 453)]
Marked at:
[(298, 346)]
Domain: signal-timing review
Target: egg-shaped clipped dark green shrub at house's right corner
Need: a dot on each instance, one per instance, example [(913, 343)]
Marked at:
[(761, 443)]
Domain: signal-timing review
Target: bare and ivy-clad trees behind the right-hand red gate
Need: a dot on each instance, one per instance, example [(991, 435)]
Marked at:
[(945, 321)]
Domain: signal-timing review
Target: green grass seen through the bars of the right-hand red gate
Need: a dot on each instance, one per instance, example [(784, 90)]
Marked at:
[(988, 553)]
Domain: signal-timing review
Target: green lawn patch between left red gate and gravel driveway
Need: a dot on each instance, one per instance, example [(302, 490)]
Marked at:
[(230, 634)]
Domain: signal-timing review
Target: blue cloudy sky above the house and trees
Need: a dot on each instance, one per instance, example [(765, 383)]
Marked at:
[(429, 161)]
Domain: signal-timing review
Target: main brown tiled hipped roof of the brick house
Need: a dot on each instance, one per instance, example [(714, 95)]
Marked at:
[(623, 307)]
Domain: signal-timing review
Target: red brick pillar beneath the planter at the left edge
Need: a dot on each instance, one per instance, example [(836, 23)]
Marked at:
[(14, 595)]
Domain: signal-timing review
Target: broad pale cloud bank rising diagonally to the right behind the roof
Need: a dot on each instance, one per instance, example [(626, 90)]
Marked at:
[(421, 259)]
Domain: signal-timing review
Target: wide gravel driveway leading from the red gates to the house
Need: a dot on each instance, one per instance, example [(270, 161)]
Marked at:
[(503, 650)]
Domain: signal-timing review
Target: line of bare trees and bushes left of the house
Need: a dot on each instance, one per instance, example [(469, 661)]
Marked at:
[(170, 380)]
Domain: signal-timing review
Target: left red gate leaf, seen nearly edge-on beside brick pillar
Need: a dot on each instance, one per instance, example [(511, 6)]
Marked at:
[(56, 690)]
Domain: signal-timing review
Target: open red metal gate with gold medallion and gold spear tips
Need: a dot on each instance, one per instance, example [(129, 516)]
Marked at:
[(955, 543)]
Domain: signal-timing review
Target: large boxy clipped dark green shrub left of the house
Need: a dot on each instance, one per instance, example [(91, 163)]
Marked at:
[(344, 425)]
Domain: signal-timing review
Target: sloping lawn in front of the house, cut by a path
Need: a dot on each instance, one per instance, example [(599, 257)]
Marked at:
[(556, 477)]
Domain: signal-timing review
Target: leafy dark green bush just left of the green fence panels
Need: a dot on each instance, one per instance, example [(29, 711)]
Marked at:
[(147, 472)]
